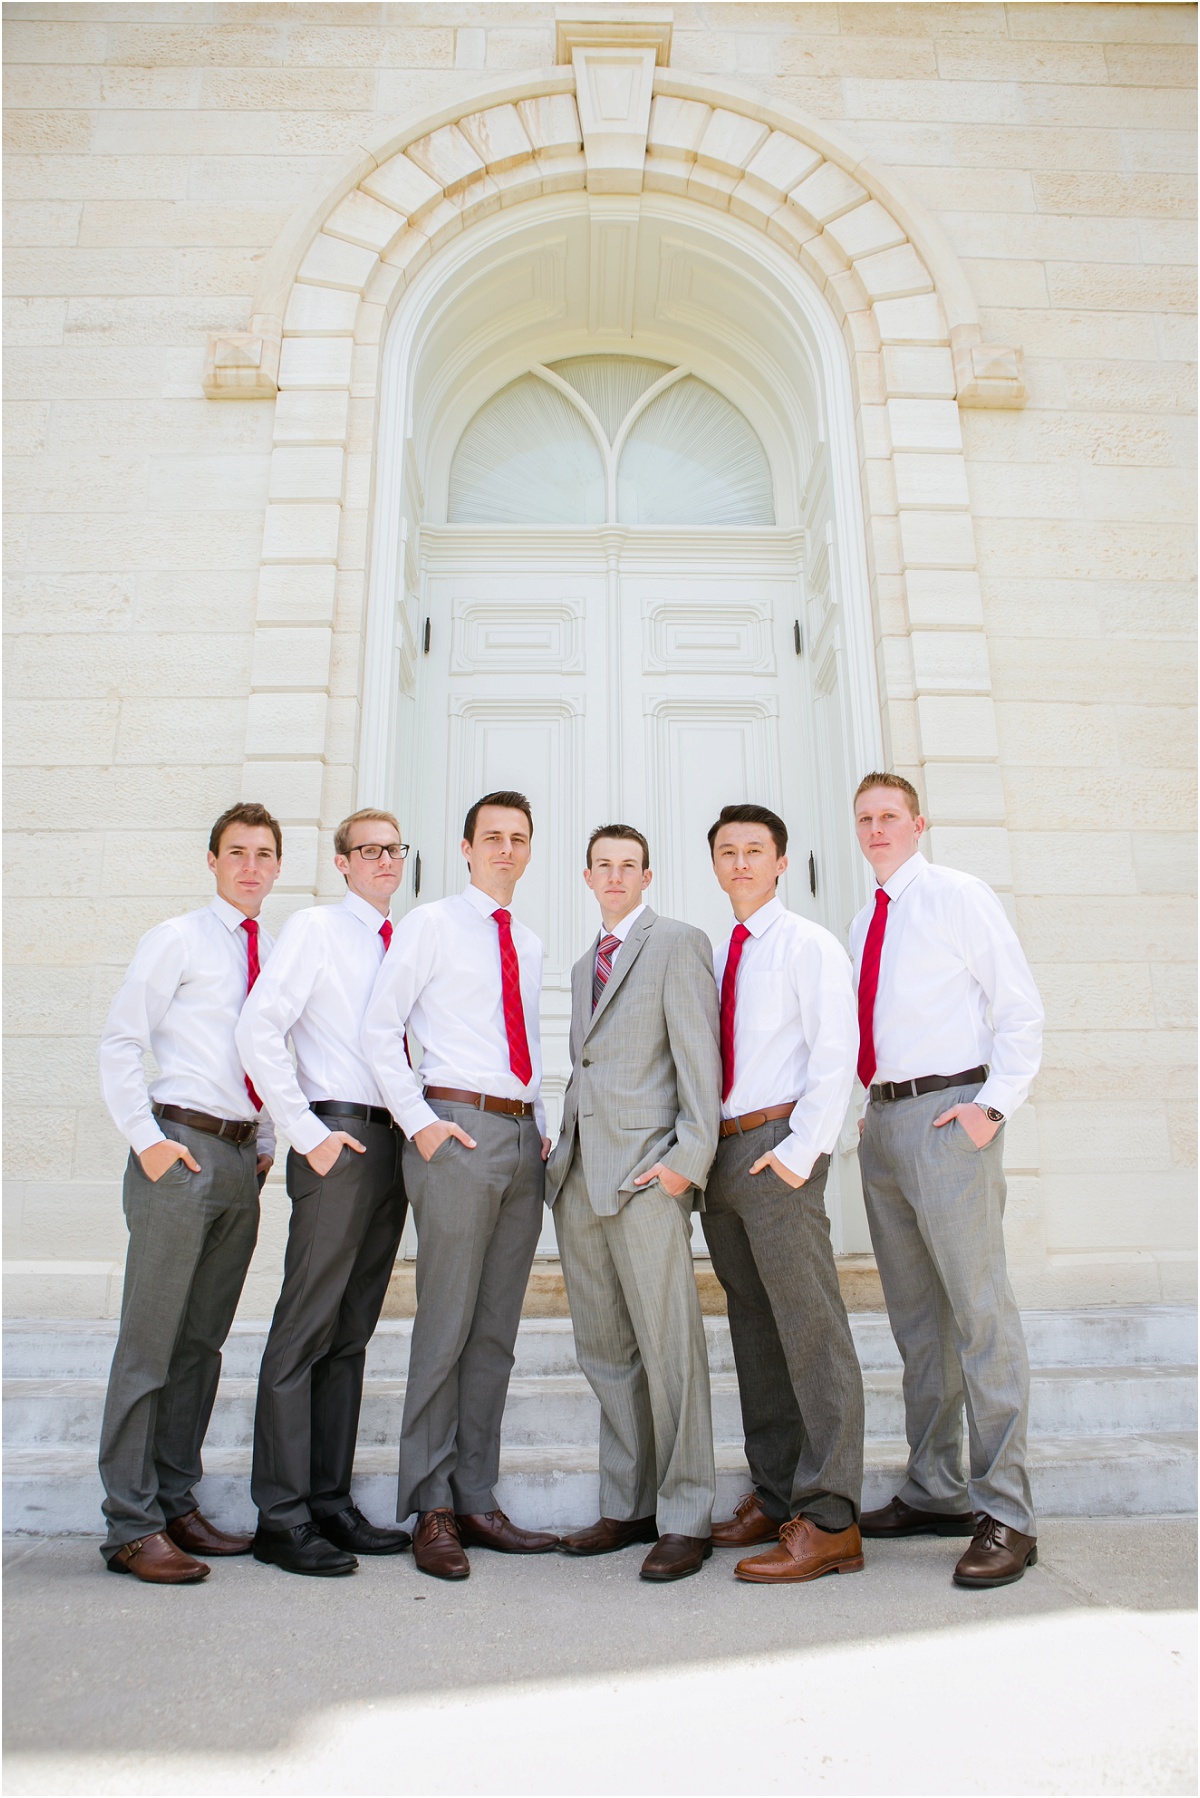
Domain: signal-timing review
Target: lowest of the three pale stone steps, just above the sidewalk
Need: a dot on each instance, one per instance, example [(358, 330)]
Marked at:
[(57, 1491)]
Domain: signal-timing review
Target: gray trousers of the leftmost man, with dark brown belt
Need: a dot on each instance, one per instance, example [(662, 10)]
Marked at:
[(192, 1238)]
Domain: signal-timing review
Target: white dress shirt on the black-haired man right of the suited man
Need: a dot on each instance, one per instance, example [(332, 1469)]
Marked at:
[(796, 1031)]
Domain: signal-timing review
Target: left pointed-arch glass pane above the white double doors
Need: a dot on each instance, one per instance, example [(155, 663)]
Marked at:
[(528, 458)]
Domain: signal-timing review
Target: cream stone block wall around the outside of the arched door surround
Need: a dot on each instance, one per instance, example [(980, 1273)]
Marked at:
[(154, 157)]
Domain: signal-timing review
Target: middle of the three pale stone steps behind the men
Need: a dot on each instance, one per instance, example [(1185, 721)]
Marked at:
[(560, 1409)]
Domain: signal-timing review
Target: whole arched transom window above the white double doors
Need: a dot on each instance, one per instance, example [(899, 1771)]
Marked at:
[(602, 440)]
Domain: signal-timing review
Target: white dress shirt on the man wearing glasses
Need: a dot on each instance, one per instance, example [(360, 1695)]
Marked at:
[(318, 988)]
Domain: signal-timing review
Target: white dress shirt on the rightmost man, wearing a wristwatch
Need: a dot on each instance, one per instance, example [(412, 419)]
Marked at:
[(956, 990)]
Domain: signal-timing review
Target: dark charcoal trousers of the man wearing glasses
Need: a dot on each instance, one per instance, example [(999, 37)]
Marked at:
[(341, 1252)]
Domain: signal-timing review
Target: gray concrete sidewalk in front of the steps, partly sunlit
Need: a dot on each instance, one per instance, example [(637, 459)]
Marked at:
[(575, 1677)]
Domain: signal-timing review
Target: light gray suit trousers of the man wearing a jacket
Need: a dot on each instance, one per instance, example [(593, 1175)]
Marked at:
[(640, 1340)]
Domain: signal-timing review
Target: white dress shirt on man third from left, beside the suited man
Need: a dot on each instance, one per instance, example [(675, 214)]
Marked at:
[(443, 977)]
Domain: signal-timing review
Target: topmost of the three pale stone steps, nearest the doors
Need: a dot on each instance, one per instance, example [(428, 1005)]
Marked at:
[(1120, 1337)]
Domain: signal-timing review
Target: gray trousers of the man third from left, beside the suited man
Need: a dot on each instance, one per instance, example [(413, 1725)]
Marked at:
[(479, 1216)]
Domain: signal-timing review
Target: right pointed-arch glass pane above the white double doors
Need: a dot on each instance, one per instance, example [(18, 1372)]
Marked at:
[(692, 459)]
